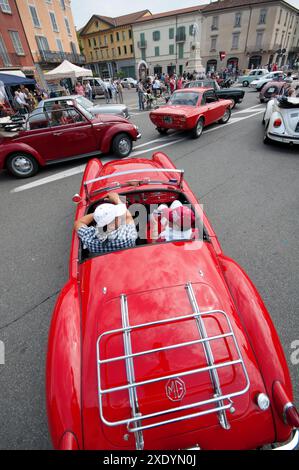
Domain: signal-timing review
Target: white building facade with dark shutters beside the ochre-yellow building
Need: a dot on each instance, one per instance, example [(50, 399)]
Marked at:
[(162, 41)]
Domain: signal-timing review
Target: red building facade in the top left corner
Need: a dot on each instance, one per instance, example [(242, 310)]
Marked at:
[(14, 48)]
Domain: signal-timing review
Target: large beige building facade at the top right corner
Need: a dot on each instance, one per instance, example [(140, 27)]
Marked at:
[(249, 34)]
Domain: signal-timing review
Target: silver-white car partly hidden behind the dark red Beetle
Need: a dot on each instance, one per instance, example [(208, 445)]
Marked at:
[(82, 102)]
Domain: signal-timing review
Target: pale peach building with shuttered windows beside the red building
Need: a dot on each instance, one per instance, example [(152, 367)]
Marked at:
[(50, 31)]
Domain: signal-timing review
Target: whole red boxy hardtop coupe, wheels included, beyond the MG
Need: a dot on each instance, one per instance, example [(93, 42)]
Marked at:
[(191, 109)]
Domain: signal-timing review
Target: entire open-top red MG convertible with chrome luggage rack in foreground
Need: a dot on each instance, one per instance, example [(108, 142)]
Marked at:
[(165, 345)]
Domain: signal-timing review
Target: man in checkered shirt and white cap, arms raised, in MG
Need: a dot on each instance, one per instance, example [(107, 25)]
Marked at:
[(114, 230)]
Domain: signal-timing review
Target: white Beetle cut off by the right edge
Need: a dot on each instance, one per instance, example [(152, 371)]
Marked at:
[(281, 120)]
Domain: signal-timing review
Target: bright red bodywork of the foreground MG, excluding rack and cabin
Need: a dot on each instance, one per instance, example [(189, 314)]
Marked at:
[(153, 278)]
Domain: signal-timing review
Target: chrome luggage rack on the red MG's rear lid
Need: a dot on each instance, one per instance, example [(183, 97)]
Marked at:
[(222, 402)]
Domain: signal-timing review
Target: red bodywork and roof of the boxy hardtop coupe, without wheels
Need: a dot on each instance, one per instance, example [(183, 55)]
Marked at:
[(185, 117)]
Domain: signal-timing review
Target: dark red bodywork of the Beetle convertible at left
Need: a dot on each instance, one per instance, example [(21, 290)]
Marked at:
[(51, 144)]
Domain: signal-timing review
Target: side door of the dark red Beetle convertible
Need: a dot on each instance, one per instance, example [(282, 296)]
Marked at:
[(72, 135)]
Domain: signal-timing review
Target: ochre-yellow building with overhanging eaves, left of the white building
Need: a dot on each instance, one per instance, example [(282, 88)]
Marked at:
[(108, 44)]
